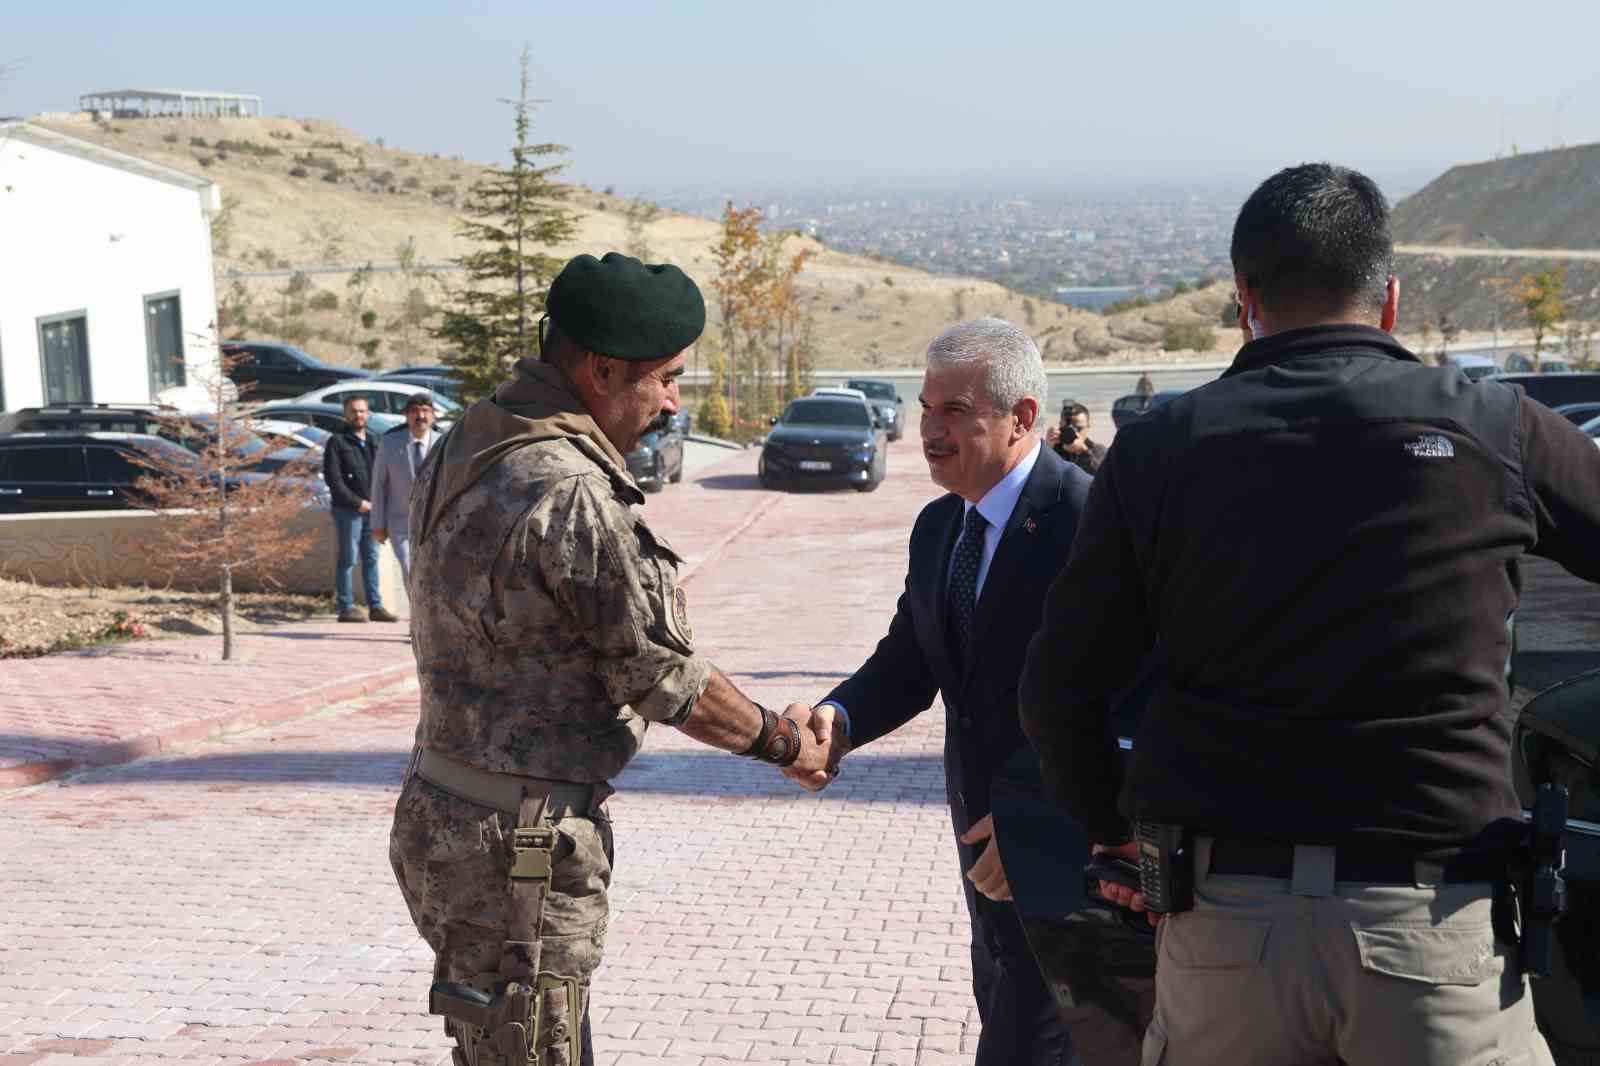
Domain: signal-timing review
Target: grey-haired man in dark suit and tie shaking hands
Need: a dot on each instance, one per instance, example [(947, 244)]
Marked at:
[(982, 559)]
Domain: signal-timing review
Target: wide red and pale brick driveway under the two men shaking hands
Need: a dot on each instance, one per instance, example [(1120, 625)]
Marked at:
[(234, 905)]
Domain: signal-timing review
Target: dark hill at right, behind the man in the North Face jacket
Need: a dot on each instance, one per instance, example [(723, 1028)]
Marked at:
[(1473, 212)]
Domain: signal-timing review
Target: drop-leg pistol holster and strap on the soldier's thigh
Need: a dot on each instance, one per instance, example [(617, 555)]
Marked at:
[(516, 1017)]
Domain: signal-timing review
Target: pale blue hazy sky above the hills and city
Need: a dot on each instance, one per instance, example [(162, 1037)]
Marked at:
[(726, 94)]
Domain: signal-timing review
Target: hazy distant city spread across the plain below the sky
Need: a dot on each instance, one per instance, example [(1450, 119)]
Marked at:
[(1084, 249)]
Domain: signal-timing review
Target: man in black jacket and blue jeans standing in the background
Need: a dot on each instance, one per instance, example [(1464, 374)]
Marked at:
[(348, 468)]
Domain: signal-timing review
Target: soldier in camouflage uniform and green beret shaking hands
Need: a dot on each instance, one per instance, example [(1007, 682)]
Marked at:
[(550, 631)]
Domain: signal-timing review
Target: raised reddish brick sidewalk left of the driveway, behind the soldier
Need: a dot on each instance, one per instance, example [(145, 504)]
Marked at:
[(113, 705)]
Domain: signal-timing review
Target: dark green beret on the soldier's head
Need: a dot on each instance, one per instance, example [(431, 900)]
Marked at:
[(626, 310)]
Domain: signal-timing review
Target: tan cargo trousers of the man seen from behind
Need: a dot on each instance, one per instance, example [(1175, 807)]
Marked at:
[(1364, 976)]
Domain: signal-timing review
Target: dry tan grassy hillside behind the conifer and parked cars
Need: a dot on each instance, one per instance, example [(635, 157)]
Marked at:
[(310, 196)]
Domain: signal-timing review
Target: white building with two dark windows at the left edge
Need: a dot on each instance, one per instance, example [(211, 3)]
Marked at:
[(106, 286)]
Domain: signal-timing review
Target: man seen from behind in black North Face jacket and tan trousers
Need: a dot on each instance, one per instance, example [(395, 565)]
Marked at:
[(1326, 545)]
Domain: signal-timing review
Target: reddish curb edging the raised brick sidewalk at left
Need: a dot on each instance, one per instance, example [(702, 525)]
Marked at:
[(188, 734)]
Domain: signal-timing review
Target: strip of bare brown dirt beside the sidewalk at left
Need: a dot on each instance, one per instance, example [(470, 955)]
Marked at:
[(39, 620)]
